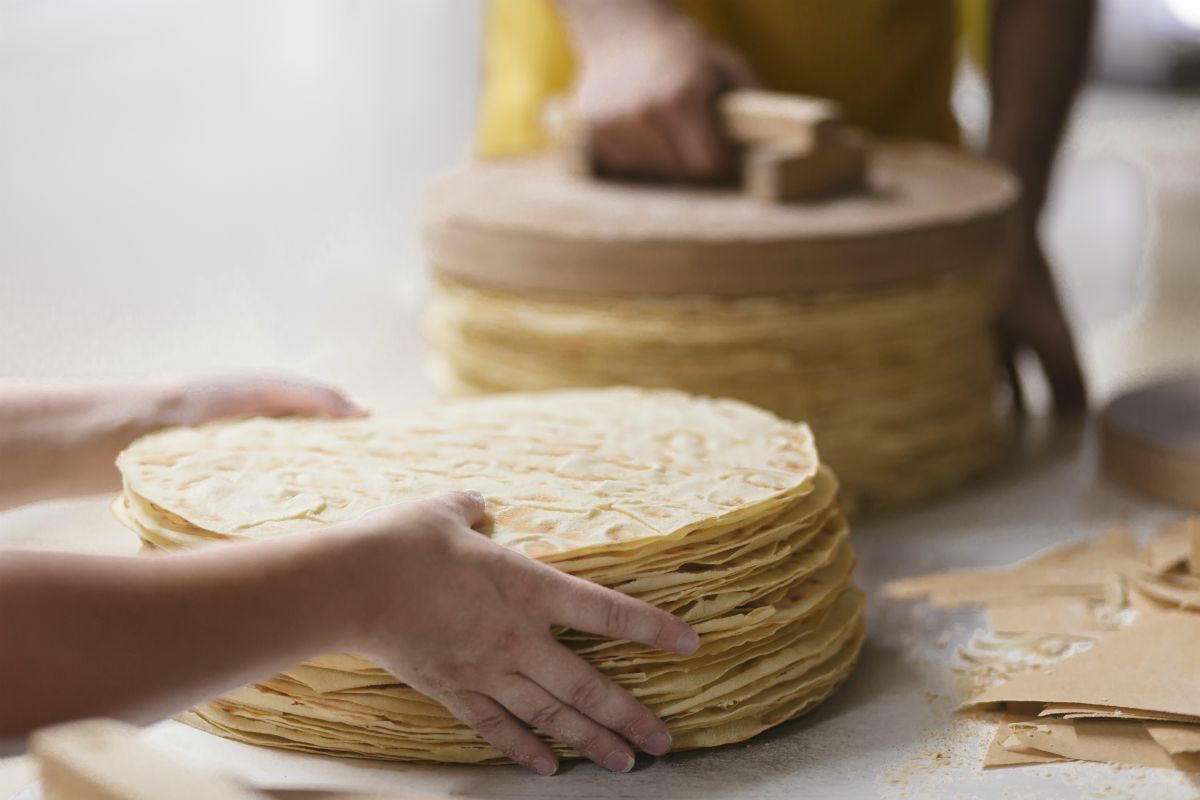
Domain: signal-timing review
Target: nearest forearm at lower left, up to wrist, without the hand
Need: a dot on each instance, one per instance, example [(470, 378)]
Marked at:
[(140, 639)]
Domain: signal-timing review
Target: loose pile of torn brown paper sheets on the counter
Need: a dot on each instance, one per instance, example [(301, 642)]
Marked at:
[(1133, 696)]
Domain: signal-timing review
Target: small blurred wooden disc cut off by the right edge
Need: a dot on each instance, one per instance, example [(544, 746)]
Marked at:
[(1150, 441)]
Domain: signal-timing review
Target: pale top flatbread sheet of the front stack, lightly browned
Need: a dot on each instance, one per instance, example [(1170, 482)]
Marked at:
[(565, 473)]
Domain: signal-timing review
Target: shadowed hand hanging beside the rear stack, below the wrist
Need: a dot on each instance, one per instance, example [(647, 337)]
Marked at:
[(1033, 318)]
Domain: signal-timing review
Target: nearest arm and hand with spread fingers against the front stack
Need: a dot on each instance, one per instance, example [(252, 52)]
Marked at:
[(413, 588)]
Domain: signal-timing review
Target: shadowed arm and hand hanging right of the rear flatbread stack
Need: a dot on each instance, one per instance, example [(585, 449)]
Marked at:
[(1040, 55)]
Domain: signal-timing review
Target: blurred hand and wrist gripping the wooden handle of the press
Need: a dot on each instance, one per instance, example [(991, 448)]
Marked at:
[(647, 88)]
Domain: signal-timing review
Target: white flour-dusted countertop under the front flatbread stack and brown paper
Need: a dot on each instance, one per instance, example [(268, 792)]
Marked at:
[(890, 732)]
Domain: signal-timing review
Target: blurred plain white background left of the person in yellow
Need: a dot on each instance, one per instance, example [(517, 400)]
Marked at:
[(203, 185)]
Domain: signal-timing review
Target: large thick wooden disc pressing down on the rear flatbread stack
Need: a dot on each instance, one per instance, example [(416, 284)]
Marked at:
[(529, 225)]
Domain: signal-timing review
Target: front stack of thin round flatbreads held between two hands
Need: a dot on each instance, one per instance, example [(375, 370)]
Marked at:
[(713, 510)]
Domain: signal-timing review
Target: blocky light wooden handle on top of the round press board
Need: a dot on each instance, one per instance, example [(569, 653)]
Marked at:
[(795, 148)]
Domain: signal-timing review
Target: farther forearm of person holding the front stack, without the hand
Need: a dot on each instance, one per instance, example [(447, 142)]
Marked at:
[(62, 440)]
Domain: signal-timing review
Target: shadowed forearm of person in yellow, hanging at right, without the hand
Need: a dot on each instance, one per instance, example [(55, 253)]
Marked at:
[(1039, 61)]
